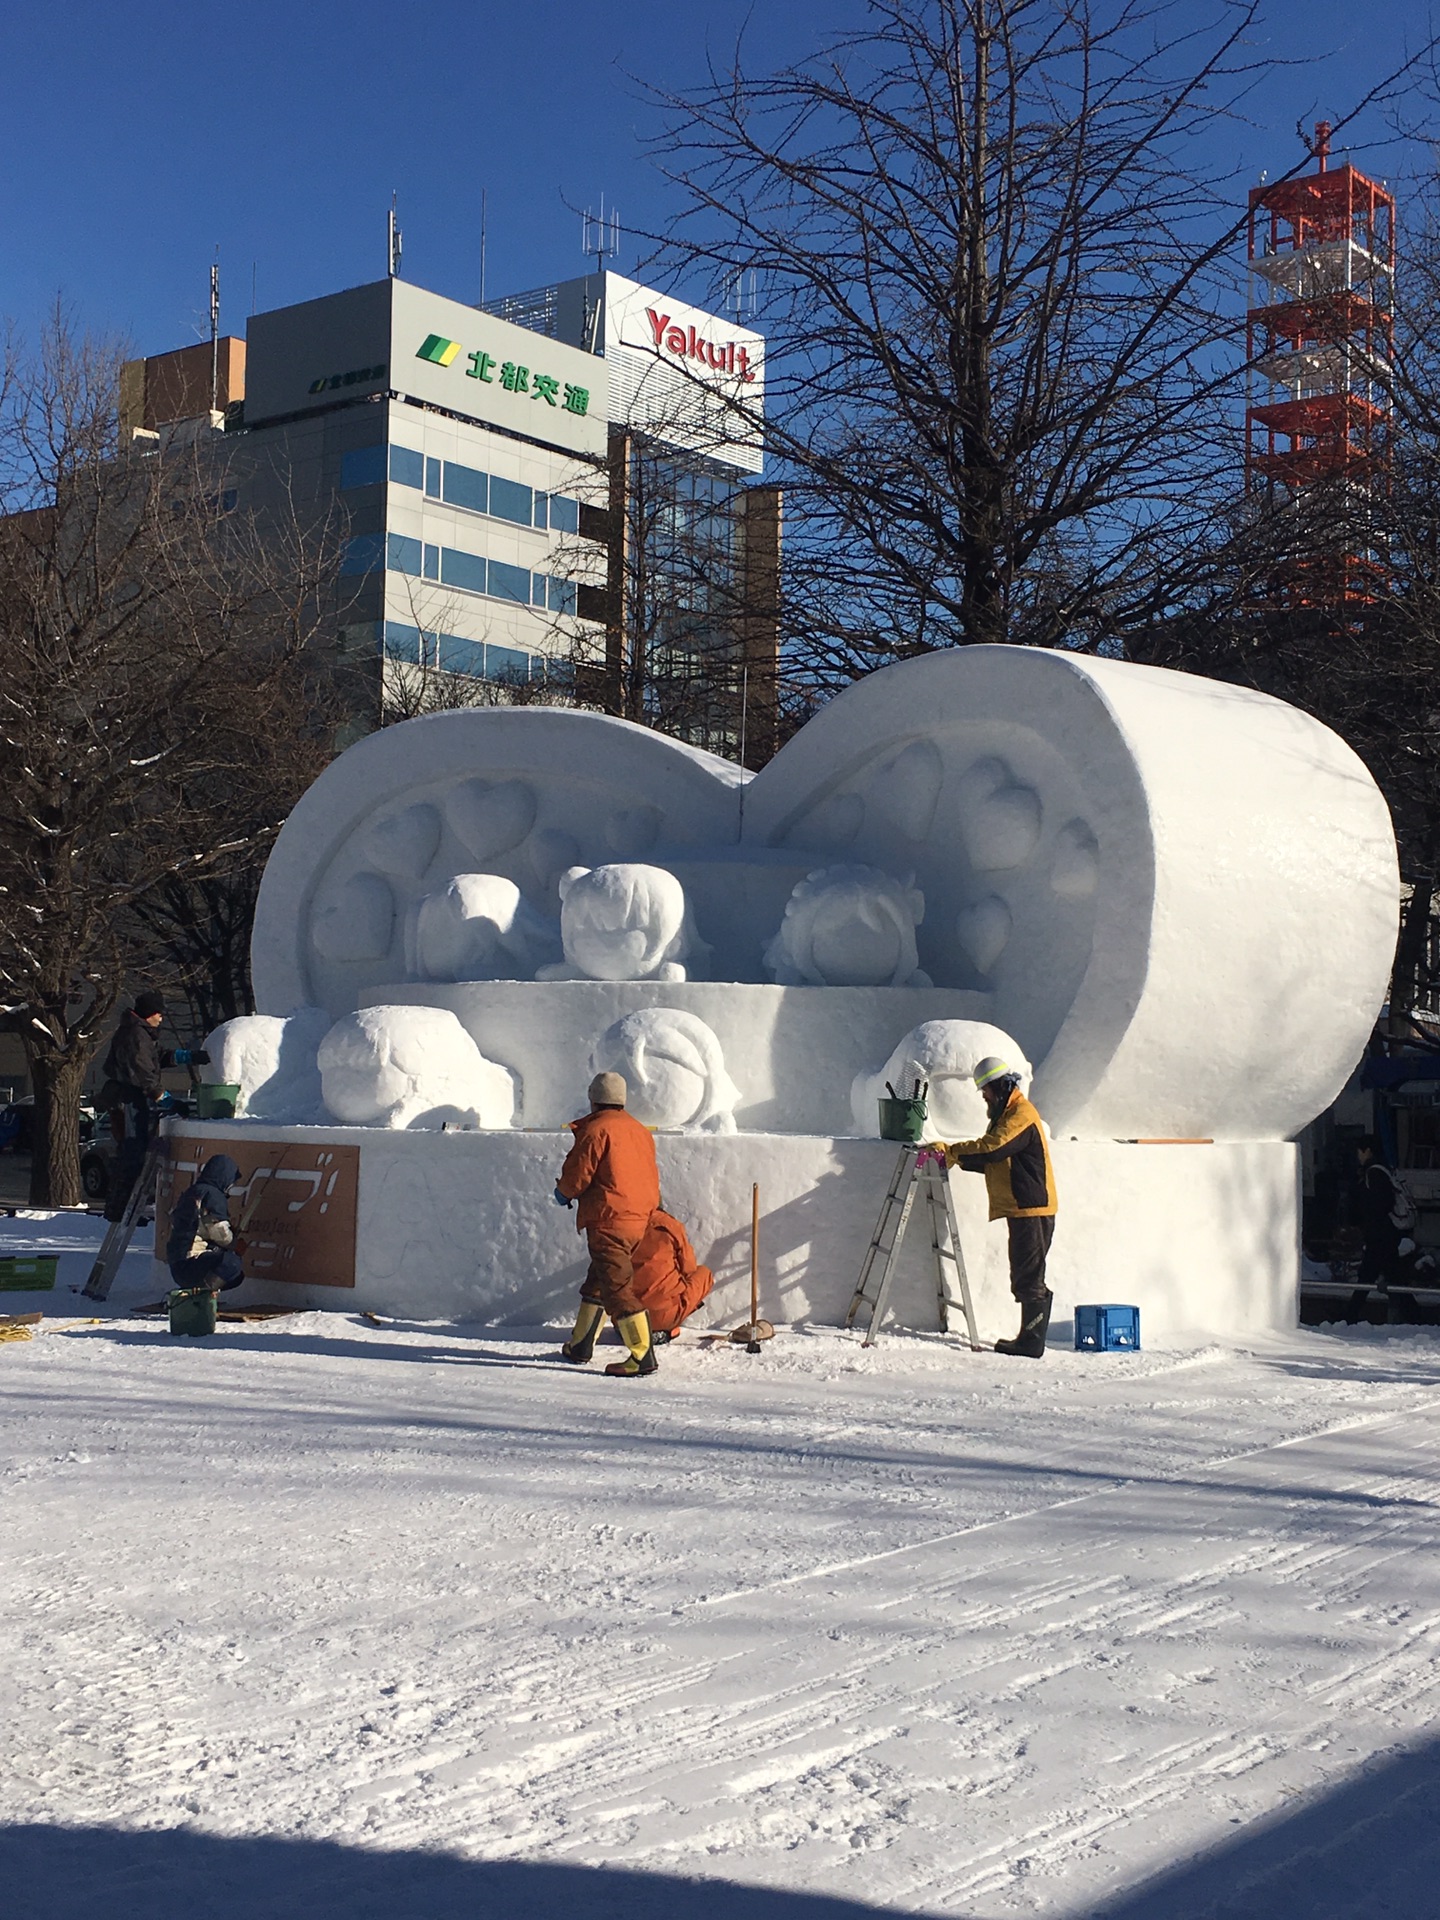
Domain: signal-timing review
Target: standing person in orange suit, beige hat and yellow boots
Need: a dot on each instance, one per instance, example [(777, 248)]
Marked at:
[(612, 1174)]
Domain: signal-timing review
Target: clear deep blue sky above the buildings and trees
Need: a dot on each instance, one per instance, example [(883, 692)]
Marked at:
[(139, 137)]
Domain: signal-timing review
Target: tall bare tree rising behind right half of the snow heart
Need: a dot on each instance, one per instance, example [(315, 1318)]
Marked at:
[(1003, 312)]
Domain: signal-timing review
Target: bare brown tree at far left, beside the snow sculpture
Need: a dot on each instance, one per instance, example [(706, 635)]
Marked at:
[(156, 656)]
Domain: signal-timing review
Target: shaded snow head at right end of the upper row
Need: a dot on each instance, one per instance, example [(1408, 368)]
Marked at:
[(850, 926)]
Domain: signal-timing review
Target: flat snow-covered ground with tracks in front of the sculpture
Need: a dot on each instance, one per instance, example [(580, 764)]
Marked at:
[(322, 1618)]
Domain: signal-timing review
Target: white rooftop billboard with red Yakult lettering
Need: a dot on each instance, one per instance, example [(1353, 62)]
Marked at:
[(688, 375)]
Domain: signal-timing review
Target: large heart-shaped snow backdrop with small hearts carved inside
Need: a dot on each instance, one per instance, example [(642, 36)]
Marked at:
[(1178, 898)]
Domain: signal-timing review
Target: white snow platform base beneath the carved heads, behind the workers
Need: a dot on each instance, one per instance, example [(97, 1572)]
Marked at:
[(462, 1226)]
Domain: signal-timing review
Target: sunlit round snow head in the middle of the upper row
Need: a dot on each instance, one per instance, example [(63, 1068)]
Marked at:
[(623, 923)]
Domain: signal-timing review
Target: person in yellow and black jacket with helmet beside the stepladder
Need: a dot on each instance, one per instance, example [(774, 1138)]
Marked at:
[(1015, 1157)]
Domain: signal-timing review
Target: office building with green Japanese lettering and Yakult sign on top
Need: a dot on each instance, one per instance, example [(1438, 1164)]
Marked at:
[(554, 489)]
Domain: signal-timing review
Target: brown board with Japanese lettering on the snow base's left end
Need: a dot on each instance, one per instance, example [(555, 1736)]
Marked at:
[(295, 1205)]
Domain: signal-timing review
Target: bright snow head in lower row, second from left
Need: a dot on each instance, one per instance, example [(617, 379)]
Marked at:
[(412, 1067)]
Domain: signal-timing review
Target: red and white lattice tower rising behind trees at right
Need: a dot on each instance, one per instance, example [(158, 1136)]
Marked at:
[(1320, 339)]
